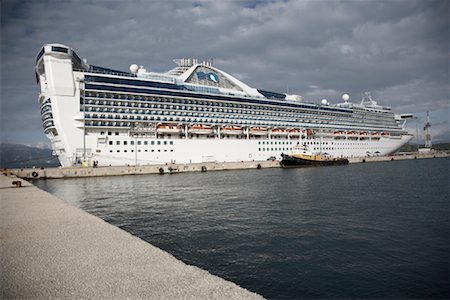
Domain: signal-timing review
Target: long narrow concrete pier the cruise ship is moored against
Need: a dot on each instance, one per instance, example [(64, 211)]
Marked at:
[(74, 172)]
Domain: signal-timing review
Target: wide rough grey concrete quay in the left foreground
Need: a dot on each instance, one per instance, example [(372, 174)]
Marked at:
[(50, 249)]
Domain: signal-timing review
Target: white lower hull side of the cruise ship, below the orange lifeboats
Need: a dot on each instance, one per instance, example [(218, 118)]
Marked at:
[(212, 150)]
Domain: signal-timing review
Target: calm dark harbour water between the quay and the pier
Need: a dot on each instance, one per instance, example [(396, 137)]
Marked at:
[(377, 230)]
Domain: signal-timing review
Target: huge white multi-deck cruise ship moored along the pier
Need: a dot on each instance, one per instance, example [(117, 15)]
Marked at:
[(194, 113)]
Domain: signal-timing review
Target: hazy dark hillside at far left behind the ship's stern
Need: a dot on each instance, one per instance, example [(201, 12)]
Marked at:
[(21, 156)]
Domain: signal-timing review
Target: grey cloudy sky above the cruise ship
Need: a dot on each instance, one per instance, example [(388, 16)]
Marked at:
[(398, 49)]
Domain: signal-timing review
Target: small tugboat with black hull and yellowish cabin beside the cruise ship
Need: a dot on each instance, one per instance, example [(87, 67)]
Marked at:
[(302, 157)]
